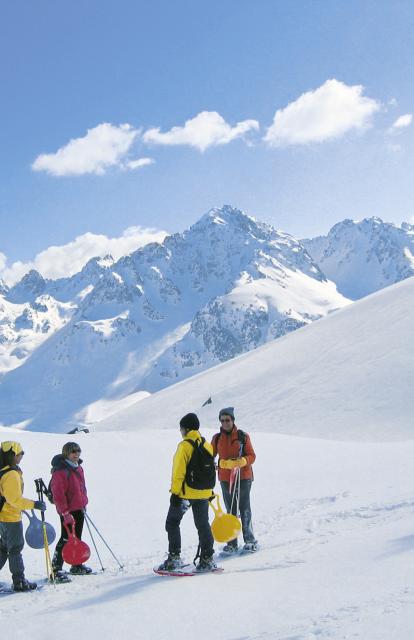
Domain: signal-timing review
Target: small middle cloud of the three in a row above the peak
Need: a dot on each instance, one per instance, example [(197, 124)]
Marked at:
[(207, 129)]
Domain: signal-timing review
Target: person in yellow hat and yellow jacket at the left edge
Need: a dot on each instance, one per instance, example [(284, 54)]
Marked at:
[(12, 503)]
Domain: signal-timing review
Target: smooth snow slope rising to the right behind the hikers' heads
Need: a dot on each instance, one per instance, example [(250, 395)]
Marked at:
[(349, 376)]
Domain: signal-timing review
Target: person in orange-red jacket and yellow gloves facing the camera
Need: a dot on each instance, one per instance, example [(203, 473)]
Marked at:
[(235, 450)]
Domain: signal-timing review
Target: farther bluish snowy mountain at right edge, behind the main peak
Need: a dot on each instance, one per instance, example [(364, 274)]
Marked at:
[(363, 257)]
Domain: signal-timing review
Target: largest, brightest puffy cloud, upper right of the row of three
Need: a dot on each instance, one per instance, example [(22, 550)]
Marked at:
[(326, 113)]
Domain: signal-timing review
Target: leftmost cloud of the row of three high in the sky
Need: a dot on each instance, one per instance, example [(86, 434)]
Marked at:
[(102, 147)]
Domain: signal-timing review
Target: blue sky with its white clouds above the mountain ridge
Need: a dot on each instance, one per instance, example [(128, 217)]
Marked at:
[(69, 68)]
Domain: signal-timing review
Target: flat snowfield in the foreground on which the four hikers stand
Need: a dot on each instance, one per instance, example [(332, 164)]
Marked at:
[(334, 521)]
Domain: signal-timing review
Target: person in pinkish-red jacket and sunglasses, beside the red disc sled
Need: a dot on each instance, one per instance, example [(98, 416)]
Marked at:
[(70, 497)]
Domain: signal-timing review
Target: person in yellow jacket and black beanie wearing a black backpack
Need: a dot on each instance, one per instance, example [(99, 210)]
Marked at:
[(183, 497)]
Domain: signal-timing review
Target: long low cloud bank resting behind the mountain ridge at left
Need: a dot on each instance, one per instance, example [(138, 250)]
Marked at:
[(65, 260)]
